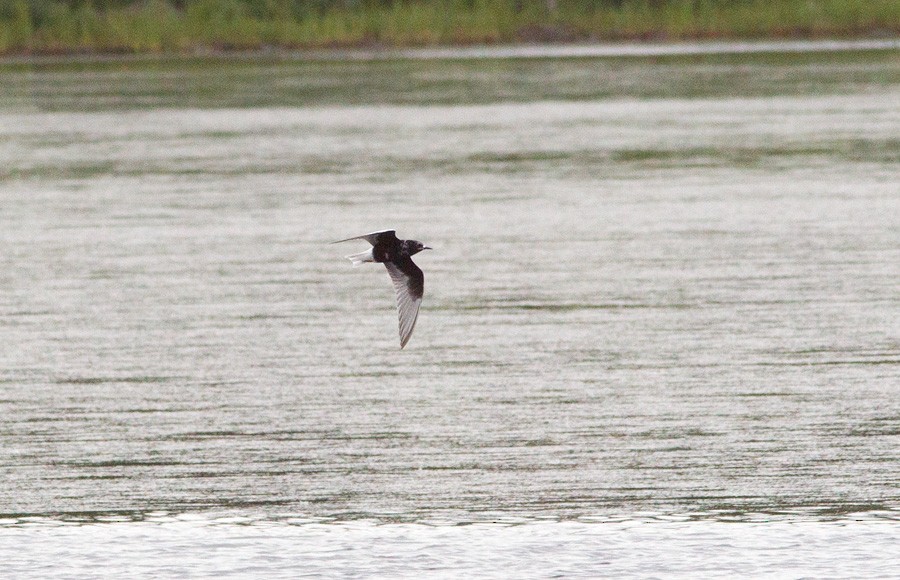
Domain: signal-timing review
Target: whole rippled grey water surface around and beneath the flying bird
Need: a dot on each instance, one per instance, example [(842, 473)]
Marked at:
[(663, 287)]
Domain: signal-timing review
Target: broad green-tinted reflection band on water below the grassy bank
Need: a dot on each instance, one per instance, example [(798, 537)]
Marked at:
[(431, 77)]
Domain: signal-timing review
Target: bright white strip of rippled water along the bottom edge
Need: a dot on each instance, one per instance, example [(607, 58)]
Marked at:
[(229, 547)]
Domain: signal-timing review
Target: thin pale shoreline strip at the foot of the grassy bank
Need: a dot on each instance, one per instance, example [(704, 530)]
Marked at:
[(511, 51)]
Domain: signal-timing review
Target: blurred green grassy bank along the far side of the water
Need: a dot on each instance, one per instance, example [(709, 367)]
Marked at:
[(62, 26)]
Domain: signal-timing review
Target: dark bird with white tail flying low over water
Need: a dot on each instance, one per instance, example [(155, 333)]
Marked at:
[(409, 282)]
